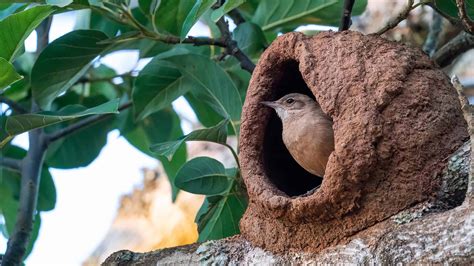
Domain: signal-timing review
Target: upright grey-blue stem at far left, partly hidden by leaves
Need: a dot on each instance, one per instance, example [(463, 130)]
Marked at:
[(30, 176)]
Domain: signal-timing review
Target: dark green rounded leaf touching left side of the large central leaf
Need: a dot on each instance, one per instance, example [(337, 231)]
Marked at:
[(156, 87)]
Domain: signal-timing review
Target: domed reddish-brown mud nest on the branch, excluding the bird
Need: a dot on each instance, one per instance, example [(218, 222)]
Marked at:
[(396, 120)]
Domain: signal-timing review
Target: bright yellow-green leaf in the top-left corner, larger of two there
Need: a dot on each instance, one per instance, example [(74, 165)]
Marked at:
[(15, 29)]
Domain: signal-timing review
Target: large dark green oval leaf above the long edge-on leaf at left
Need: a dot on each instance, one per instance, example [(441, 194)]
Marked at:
[(63, 62)]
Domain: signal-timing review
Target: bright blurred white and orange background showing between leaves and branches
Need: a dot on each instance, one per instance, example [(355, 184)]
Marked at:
[(123, 199)]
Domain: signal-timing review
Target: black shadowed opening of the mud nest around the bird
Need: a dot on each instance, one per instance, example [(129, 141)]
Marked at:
[(280, 167)]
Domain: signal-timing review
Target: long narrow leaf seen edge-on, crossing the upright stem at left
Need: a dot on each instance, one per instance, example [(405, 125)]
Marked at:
[(18, 124)]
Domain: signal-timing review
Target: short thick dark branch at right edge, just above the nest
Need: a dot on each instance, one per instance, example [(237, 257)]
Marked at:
[(458, 45)]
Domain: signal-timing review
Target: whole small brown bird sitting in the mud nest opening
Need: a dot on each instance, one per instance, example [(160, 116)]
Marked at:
[(307, 131)]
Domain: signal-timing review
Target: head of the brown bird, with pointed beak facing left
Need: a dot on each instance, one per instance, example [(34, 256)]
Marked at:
[(292, 105)]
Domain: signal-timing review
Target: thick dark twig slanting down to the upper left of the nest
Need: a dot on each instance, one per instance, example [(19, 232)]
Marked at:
[(232, 47)]
